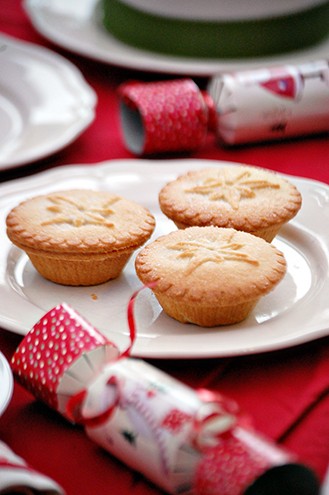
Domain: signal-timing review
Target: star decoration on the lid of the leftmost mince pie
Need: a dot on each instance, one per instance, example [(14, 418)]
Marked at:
[(66, 210)]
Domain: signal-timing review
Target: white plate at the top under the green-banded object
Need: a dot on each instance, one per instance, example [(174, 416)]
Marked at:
[(75, 25)]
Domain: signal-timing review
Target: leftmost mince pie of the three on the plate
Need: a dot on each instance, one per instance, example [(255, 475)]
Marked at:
[(79, 237)]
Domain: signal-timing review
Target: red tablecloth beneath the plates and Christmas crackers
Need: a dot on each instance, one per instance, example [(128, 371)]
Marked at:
[(286, 392)]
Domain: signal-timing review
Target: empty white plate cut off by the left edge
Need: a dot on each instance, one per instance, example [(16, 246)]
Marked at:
[(45, 103)]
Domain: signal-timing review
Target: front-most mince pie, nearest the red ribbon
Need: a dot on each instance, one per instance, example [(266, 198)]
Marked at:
[(210, 275)]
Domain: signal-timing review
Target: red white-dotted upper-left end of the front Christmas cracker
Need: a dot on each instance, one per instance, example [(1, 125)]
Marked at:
[(60, 356)]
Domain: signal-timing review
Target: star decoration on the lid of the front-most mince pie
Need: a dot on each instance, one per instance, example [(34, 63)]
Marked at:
[(199, 252)]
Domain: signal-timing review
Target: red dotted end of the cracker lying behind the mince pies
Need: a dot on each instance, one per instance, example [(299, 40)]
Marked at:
[(165, 116)]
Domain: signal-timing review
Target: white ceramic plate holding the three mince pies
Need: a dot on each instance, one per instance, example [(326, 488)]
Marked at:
[(296, 311)]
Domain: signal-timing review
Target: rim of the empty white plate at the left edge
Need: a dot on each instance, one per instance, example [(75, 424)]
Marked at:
[(85, 102)]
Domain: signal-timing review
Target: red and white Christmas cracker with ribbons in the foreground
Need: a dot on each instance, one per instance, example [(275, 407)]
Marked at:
[(183, 440)]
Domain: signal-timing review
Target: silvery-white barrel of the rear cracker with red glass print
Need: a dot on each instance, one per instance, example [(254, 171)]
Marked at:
[(271, 103)]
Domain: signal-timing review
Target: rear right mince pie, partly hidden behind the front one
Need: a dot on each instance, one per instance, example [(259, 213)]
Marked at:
[(245, 198)]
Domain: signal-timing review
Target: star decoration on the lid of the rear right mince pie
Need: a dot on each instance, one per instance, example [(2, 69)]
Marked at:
[(231, 189)]
